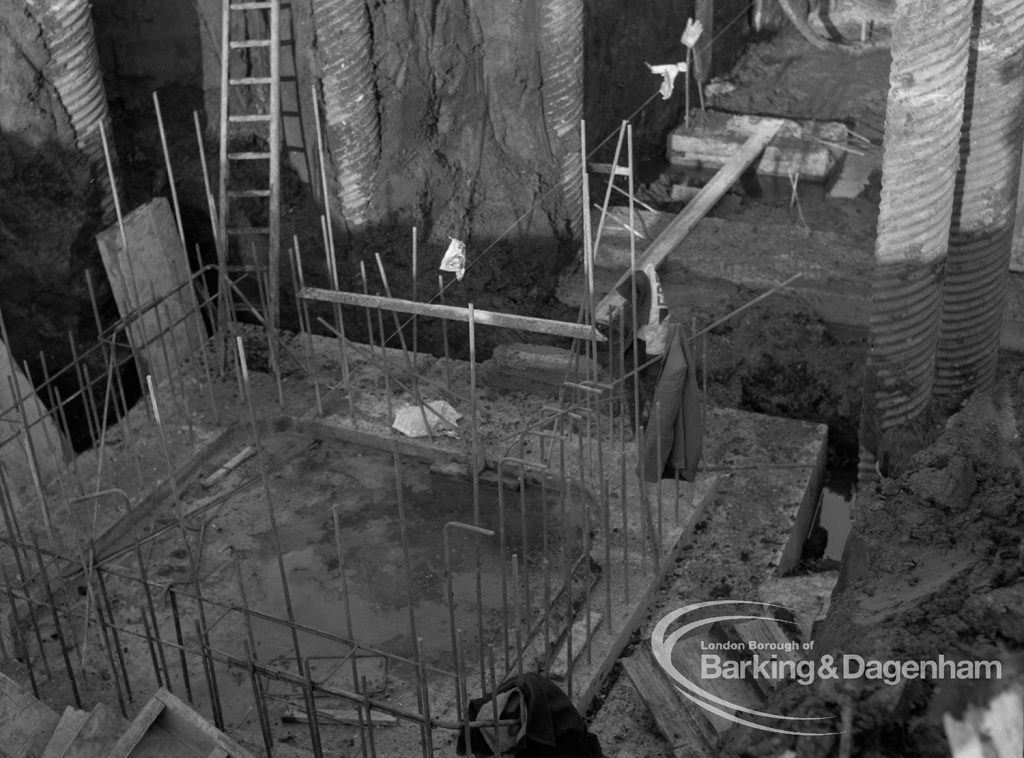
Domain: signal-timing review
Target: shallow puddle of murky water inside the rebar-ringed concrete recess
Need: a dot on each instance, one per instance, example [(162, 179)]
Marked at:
[(379, 586)]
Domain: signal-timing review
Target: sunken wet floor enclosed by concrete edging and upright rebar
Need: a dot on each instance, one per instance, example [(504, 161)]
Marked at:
[(314, 481)]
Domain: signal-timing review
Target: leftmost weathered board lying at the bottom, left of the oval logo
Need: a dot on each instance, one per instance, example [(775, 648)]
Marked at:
[(687, 736)]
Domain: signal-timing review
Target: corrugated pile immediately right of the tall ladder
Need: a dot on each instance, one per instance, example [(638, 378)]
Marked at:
[(350, 103)]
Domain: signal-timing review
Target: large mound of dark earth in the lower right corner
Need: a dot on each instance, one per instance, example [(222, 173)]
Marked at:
[(934, 568)]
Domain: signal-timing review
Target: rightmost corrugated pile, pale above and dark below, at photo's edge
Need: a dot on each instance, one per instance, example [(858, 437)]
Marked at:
[(974, 292)]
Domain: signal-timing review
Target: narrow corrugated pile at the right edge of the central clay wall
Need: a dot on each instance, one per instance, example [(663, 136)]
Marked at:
[(562, 70)]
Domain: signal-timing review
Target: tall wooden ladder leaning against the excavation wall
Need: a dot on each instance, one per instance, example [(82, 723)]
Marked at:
[(250, 107)]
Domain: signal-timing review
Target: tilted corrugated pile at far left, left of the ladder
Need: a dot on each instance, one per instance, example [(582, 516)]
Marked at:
[(74, 70)]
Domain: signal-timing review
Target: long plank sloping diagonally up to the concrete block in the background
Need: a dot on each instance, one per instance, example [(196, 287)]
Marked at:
[(682, 225)]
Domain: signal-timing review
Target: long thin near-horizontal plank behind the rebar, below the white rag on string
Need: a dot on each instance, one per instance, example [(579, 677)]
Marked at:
[(453, 313)]
